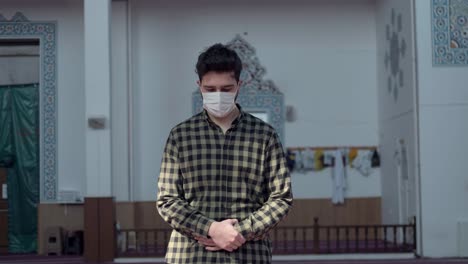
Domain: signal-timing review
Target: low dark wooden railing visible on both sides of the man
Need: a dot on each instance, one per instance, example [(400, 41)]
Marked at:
[(315, 239)]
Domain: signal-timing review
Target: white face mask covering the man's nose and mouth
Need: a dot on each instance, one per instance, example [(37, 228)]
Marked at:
[(219, 104)]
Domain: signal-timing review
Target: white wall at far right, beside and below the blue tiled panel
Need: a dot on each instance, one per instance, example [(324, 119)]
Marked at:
[(443, 107)]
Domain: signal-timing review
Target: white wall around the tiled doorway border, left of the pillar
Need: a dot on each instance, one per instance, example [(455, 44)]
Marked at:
[(70, 82)]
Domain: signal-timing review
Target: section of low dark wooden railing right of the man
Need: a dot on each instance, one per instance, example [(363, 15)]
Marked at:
[(329, 239)]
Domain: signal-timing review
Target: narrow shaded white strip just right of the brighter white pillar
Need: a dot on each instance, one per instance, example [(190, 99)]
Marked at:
[(120, 102)]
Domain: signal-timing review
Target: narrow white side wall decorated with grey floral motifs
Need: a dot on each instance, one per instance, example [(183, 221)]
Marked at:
[(396, 113)]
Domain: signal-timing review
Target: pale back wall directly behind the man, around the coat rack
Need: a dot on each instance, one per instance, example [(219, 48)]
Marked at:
[(322, 55)]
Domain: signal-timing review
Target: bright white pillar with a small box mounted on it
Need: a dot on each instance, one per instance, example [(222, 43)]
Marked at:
[(97, 94)]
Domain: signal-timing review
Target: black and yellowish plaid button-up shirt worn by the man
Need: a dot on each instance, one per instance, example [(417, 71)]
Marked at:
[(207, 175)]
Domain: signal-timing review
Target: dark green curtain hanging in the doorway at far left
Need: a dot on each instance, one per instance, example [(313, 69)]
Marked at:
[(19, 141)]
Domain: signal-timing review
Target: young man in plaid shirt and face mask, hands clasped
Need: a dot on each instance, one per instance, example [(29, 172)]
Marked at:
[(223, 182)]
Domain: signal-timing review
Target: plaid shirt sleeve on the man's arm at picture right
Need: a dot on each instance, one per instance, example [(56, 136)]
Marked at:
[(279, 202)]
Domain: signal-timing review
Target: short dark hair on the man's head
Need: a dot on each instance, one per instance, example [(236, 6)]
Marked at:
[(219, 58)]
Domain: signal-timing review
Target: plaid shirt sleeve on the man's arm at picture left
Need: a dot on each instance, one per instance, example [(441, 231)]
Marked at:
[(171, 203)]
